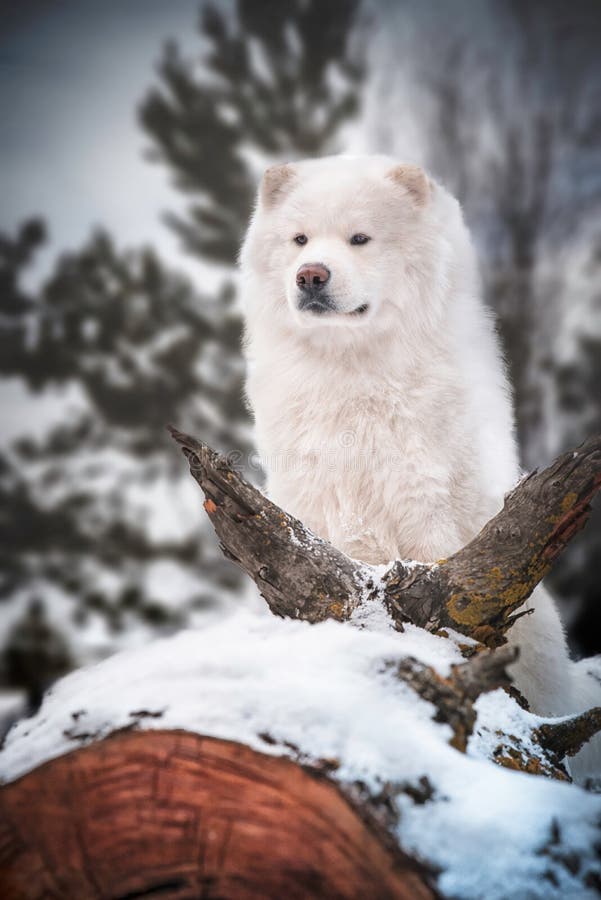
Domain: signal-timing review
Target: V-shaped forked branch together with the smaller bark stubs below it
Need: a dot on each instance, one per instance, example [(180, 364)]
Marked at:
[(476, 592)]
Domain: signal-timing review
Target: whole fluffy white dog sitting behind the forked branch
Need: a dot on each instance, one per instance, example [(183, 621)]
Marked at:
[(382, 408)]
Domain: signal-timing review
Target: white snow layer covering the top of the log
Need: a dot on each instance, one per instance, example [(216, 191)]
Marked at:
[(329, 691)]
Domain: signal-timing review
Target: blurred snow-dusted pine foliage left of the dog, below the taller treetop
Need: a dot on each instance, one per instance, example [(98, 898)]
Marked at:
[(77, 536)]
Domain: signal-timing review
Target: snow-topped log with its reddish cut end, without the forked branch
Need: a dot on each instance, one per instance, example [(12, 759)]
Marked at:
[(332, 699)]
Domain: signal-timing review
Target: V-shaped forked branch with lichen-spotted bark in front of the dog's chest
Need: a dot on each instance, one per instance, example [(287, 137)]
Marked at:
[(476, 592)]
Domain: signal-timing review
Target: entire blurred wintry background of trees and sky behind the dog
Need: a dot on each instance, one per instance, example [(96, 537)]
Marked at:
[(109, 332)]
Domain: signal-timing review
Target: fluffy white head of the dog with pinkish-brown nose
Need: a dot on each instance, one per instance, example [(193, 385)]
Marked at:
[(348, 243)]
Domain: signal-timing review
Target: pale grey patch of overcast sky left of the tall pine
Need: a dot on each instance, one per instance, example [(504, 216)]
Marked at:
[(71, 75)]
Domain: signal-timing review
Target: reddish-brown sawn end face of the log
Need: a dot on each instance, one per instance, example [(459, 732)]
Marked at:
[(174, 815)]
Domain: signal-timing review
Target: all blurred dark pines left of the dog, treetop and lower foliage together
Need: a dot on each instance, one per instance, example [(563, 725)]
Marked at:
[(88, 556)]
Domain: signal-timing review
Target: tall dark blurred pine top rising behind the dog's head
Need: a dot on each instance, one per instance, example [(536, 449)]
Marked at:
[(277, 81)]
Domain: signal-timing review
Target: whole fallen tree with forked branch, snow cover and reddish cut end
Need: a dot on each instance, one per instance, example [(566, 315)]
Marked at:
[(98, 811)]
